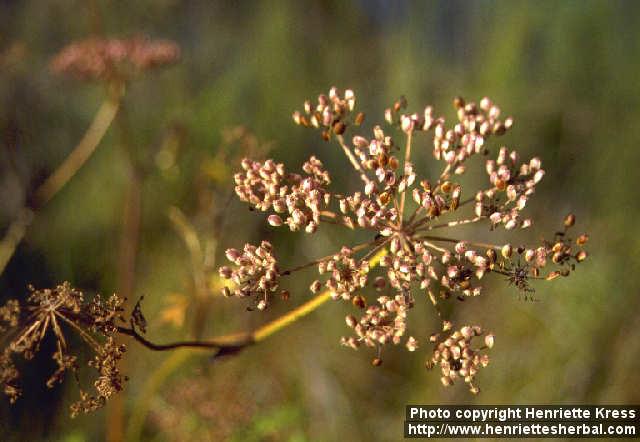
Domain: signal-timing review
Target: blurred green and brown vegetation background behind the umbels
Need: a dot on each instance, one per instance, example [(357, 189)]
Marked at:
[(568, 73)]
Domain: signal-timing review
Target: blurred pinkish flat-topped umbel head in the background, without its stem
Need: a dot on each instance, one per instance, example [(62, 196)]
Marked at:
[(99, 59)]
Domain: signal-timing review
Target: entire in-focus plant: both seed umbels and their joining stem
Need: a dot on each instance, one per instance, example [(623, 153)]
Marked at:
[(380, 277)]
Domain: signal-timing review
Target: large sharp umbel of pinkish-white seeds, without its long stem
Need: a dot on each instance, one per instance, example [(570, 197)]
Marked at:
[(405, 211)]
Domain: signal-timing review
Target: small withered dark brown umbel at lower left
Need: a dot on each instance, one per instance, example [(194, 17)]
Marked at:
[(59, 311)]
